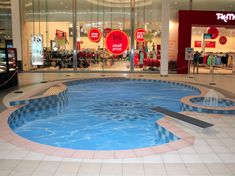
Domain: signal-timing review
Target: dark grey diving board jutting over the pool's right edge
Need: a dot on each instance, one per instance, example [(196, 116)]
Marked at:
[(182, 117)]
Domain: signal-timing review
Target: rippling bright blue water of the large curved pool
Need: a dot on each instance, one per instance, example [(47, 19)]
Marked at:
[(107, 115)]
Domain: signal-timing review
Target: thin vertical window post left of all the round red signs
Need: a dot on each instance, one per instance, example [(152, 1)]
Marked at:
[(75, 35)]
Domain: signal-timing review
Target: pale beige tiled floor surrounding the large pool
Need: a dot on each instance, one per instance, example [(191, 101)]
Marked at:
[(212, 154)]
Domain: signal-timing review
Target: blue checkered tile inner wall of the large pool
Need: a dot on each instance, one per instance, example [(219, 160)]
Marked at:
[(58, 101)]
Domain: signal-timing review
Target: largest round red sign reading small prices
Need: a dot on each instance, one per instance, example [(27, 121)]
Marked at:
[(117, 42)]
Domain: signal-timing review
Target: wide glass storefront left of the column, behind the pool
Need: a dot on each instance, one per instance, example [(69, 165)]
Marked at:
[(53, 20)]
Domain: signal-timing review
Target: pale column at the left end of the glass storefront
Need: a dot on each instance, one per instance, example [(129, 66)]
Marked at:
[(16, 27)]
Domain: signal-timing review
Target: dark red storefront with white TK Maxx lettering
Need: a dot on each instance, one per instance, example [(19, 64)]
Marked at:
[(193, 30)]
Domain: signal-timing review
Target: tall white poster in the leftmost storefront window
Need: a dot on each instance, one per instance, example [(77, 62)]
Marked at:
[(37, 50)]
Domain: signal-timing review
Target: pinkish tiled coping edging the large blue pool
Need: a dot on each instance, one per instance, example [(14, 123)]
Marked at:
[(8, 135)]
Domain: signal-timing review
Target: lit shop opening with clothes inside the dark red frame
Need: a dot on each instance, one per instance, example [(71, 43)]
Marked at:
[(215, 47)]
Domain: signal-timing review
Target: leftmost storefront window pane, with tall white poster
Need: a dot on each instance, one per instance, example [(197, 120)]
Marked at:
[(51, 20)]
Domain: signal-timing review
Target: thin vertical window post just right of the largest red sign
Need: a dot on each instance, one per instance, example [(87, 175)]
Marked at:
[(132, 35)]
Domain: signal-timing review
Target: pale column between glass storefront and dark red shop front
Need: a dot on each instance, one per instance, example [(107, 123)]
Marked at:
[(165, 37)]
